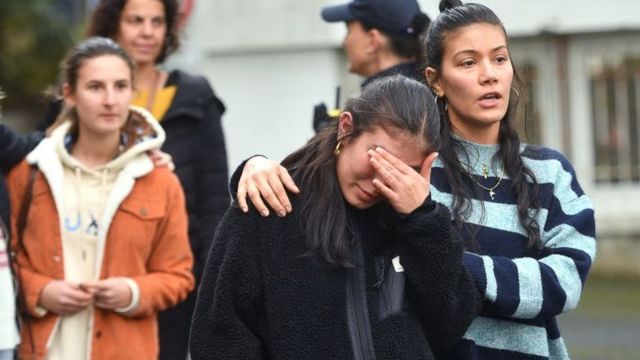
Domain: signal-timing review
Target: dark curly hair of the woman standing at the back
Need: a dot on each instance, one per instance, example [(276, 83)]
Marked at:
[(105, 21)]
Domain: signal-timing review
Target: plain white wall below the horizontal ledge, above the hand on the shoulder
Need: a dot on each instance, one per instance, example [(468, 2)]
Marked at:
[(270, 97)]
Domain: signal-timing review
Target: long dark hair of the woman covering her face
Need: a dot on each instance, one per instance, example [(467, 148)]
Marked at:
[(401, 105)]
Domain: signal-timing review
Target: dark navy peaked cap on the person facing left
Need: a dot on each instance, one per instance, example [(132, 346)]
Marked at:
[(393, 16)]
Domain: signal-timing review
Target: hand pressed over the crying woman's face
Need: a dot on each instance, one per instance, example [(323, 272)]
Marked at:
[(403, 187)]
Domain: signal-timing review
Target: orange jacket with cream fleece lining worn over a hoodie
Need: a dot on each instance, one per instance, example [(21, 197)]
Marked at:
[(147, 241)]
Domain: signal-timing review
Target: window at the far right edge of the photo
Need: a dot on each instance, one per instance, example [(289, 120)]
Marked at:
[(615, 101)]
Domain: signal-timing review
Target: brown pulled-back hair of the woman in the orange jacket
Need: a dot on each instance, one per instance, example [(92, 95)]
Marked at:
[(86, 50)]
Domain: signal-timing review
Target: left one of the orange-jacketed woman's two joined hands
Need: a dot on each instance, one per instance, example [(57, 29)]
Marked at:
[(64, 298)]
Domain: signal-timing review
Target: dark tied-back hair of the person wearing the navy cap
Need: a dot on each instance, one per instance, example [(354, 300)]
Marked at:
[(406, 45)]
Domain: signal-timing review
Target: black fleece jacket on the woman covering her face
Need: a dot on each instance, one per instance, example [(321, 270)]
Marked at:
[(261, 298)]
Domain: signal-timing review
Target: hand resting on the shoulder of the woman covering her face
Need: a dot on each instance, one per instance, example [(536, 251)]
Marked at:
[(264, 178)]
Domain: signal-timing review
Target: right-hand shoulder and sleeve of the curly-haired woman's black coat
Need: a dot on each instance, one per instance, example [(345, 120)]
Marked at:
[(195, 140)]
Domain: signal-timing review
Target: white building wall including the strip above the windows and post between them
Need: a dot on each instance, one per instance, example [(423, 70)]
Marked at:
[(272, 60)]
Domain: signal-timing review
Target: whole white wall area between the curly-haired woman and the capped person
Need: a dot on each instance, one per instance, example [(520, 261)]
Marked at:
[(271, 62)]
